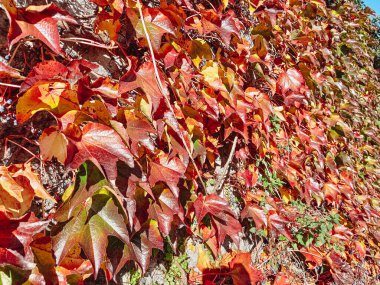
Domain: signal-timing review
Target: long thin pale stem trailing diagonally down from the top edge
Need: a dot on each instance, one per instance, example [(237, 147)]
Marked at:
[(162, 90)]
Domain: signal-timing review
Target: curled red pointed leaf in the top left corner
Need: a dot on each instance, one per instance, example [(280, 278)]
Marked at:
[(37, 21)]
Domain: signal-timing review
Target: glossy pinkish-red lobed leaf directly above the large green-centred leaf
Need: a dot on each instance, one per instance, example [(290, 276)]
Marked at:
[(104, 147)]
